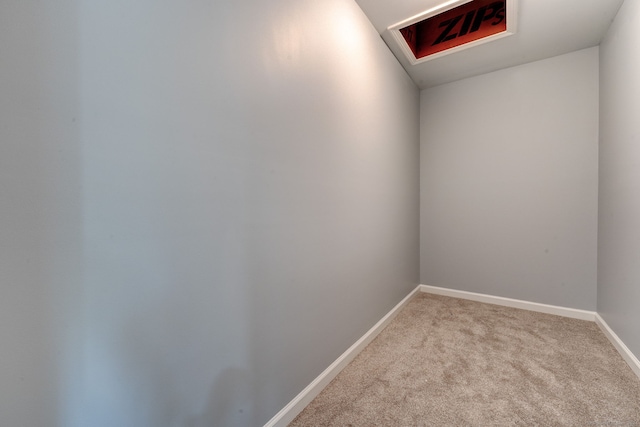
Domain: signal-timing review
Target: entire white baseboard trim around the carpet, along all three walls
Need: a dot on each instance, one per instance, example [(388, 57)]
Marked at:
[(293, 408)]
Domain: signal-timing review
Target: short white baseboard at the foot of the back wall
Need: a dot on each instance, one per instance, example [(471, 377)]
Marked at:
[(508, 302)]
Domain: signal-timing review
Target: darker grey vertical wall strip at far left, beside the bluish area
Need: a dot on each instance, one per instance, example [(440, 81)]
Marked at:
[(40, 208)]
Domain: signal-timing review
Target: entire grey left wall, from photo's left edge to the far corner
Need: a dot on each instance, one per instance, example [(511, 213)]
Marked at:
[(203, 205)]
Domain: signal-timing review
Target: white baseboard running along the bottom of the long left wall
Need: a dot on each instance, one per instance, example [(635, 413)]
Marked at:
[(293, 408)]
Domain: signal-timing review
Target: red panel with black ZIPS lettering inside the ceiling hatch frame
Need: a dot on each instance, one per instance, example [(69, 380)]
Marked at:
[(464, 24)]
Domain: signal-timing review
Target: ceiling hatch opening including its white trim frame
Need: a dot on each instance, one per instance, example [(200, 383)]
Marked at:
[(436, 33)]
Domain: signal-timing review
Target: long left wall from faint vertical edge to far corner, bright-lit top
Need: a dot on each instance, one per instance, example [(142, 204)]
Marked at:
[(250, 183)]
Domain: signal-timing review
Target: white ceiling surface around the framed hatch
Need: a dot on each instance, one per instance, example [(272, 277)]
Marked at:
[(546, 28)]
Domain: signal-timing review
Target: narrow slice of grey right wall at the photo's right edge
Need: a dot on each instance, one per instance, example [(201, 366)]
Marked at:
[(619, 195)]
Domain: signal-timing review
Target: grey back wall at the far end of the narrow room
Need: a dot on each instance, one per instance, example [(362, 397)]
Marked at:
[(509, 169)]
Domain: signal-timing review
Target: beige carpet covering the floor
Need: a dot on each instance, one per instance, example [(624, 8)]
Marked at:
[(452, 362)]
